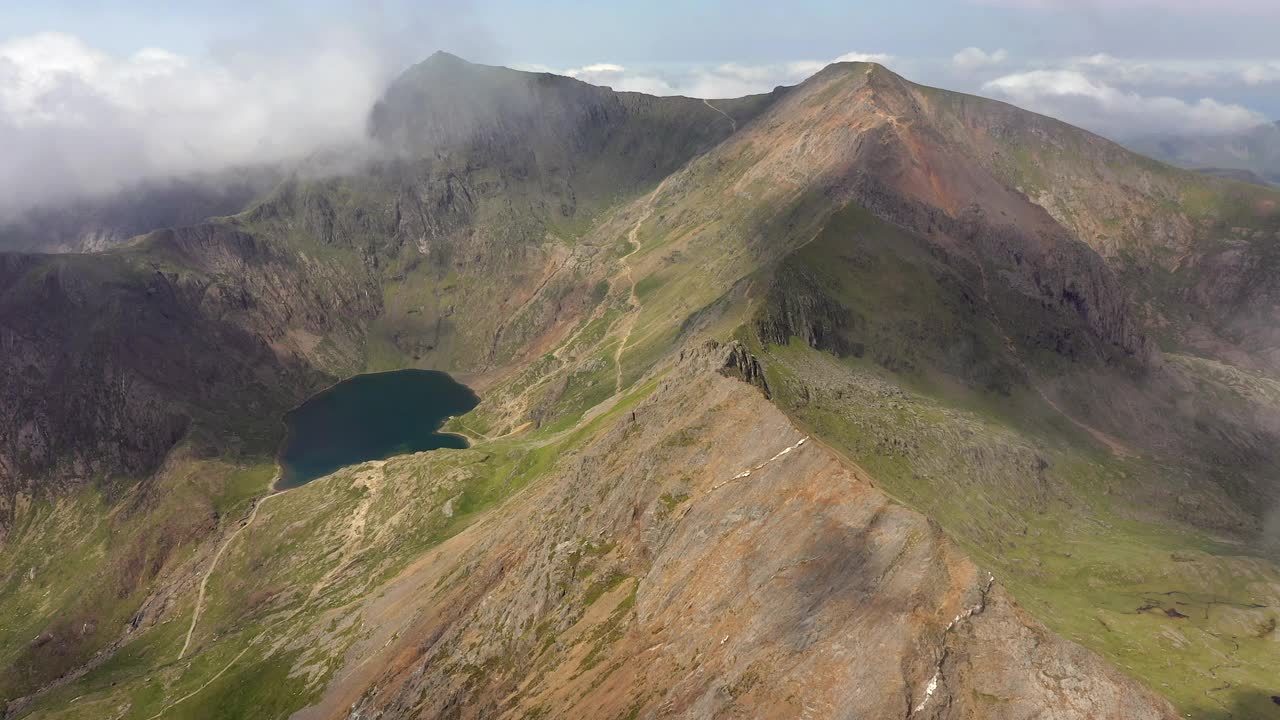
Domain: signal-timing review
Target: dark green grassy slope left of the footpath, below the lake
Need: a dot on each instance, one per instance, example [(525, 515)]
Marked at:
[(77, 569)]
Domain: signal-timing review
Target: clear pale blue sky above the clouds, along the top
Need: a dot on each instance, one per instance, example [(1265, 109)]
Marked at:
[(742, 31)]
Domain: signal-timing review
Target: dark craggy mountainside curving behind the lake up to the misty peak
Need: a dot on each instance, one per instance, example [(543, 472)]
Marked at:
[(223, 326)]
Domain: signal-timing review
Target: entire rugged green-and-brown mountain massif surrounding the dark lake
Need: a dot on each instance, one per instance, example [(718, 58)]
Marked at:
[(858, 398)]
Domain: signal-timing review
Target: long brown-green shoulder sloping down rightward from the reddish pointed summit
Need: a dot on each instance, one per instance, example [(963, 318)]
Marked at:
[(1162, 229)]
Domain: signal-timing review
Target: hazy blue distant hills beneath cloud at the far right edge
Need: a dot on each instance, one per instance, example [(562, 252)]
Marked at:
[(1255, 152)]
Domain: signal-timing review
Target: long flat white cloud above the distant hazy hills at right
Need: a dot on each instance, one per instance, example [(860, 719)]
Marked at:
[(1076, 98)]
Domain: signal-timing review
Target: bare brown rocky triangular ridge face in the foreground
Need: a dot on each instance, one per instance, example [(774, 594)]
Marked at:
[(747, 575)]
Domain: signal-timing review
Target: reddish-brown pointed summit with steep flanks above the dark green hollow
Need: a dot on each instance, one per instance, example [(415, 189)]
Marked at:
[(857, 138)]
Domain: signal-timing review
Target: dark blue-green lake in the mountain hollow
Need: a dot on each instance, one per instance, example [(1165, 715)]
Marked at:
[(371, 418)]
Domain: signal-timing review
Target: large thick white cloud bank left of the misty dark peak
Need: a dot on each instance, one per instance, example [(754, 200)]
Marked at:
[(80, 121)]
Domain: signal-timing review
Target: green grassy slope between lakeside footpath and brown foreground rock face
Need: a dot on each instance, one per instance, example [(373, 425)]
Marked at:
[(280, 610)]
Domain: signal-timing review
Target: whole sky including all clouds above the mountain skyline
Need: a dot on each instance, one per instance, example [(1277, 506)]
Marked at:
[(100, 94)]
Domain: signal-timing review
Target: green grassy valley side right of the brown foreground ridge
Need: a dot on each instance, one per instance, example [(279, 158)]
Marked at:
[(1063, 525)]
